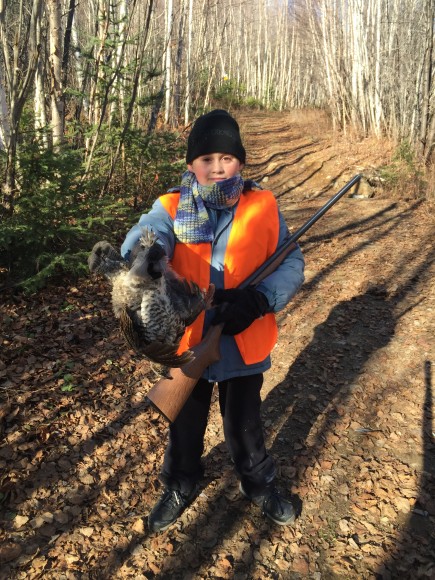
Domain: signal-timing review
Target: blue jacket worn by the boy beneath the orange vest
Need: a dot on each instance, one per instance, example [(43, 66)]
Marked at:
[(279, 287)]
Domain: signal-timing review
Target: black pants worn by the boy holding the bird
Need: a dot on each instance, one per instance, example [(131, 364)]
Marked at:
[(239, 401)]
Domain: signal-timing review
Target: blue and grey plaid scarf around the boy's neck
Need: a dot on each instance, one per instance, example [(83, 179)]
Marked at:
[(192, 224)]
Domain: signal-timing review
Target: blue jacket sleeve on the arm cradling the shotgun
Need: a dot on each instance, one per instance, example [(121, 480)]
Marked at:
[(280, 286)]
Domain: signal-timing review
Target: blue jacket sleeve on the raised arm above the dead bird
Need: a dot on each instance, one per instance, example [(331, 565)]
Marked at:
[(160, 222)]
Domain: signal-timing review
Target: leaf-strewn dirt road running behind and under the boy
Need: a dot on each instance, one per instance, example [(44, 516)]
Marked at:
[(348, 405)]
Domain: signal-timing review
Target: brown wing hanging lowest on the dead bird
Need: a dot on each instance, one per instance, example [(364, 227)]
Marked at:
[(155, 351)]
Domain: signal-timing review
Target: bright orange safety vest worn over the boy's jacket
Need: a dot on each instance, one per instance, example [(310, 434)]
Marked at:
[(253, 238)]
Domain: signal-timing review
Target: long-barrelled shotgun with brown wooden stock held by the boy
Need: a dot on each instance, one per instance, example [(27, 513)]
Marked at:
[(169, 395)]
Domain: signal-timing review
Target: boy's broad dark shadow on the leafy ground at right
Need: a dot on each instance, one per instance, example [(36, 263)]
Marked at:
[(322, 377)]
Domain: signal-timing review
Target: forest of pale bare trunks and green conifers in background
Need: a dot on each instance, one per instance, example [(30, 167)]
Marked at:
[(95, 96)]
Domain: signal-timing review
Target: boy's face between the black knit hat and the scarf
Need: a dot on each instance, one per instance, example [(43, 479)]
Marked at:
[(215, 167)]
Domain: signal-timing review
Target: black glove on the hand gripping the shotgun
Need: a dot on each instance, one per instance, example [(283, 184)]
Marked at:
[(239, 308)]
